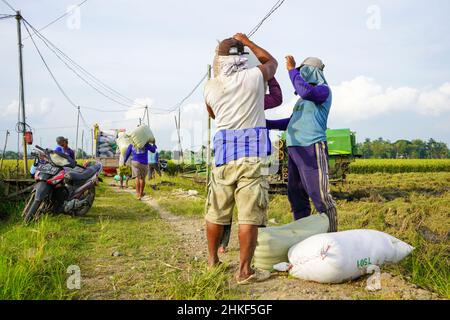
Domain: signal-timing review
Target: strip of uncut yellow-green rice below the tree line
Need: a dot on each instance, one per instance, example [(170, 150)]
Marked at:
[(370, 166)]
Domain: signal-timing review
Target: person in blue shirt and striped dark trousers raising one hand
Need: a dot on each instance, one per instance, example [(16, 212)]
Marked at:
[(307, 142)]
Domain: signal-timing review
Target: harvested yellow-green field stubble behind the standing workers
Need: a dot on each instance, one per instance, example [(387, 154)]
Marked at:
[(412, 206)]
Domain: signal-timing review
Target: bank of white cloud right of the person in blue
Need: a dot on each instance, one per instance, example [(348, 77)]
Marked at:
[(363, 98)]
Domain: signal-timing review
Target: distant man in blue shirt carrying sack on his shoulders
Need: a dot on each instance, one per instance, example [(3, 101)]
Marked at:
[(139, 164)]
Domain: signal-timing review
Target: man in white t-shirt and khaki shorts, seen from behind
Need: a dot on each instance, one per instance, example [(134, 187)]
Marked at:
[(235, 99)]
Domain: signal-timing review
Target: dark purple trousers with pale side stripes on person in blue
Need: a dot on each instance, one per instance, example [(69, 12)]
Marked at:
[(308, 178)]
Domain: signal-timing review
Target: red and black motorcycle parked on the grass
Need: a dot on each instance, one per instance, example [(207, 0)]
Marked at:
[(62, 186)]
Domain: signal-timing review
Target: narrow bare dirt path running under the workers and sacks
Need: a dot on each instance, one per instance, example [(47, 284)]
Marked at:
[(281, 286)]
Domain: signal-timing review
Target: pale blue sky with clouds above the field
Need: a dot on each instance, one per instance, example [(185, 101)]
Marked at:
[(388, 62)]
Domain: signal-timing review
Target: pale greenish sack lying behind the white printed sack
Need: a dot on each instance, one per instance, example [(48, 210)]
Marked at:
[(274, 243)]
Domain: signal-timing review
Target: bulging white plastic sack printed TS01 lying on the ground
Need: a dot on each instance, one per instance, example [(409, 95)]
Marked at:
[(344, 256)]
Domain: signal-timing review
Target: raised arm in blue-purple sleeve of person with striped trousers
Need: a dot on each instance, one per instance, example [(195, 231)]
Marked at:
[(318, 94)]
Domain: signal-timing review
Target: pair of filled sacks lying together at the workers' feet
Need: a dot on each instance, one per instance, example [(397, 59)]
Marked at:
[(322, 257)]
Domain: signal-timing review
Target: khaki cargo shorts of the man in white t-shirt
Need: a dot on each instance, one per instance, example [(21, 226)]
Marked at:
[(238, 182)]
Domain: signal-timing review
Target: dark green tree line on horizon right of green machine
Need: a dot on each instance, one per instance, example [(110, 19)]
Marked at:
[(403, 149)]
